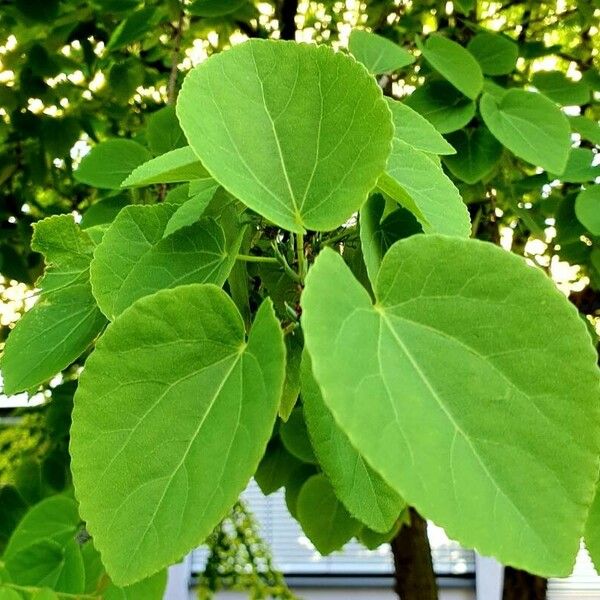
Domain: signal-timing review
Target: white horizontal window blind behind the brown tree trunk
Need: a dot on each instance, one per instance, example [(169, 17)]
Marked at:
[(294, 554)]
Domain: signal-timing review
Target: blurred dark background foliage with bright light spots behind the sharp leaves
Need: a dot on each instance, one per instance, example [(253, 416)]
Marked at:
[(74, 73)]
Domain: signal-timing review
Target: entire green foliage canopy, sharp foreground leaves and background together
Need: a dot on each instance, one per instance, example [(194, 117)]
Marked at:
[(275, 275)]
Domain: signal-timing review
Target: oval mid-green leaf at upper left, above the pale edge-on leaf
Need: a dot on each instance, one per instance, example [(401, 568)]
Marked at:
[(110, 162)]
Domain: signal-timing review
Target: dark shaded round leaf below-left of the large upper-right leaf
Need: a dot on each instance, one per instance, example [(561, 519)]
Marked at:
[(478, 152)]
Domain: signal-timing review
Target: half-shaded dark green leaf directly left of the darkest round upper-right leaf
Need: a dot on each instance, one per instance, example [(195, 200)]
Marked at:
[(442, 105)]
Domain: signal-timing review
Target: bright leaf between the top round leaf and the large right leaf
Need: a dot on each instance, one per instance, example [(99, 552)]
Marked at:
[(418, 184)]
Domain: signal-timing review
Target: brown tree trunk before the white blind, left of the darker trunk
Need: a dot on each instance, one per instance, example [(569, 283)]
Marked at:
[(414, 576)]
